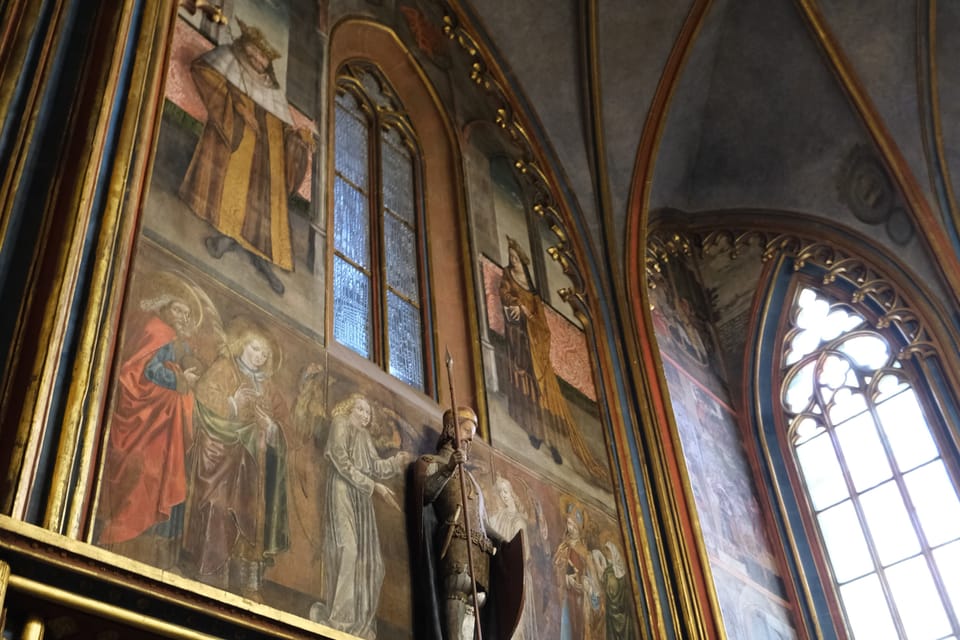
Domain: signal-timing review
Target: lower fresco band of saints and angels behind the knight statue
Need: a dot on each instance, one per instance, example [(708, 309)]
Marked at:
[(243, 456)]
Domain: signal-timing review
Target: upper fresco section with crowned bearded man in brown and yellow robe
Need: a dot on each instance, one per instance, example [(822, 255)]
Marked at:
[(232, 190)]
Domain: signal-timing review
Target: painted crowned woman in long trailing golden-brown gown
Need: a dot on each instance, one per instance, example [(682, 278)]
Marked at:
[(534, 396)]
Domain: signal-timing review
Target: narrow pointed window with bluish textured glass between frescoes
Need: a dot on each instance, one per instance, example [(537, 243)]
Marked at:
[(379, 289)]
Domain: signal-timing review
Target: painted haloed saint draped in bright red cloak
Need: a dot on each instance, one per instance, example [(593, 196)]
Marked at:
[(144, 478)]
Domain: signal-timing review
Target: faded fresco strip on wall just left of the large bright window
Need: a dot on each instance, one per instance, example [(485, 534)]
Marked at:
[(745, 572)]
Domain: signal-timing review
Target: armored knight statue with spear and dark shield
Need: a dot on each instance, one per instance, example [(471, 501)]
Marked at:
[(464, 571)]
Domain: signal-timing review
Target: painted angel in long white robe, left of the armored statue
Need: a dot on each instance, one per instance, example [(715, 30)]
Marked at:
[(353, 567)]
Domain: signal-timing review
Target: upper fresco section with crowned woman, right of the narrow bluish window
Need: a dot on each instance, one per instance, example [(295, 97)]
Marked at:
[(541, 395)]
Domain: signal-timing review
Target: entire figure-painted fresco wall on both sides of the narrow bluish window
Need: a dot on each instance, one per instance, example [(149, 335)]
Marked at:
[(240, 455)]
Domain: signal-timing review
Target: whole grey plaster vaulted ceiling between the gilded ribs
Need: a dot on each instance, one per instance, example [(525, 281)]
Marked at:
[(758, 118)]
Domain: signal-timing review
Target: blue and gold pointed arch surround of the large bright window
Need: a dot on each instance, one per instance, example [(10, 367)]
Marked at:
[(821, 608)]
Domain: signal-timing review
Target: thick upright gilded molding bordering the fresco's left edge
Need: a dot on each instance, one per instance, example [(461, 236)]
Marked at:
[(65, 508)]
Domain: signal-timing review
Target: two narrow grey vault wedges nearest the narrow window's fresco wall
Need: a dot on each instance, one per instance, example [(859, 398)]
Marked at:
[(539, 44)]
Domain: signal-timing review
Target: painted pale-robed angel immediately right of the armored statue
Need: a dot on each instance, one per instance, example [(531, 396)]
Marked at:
[(511, 518)]
